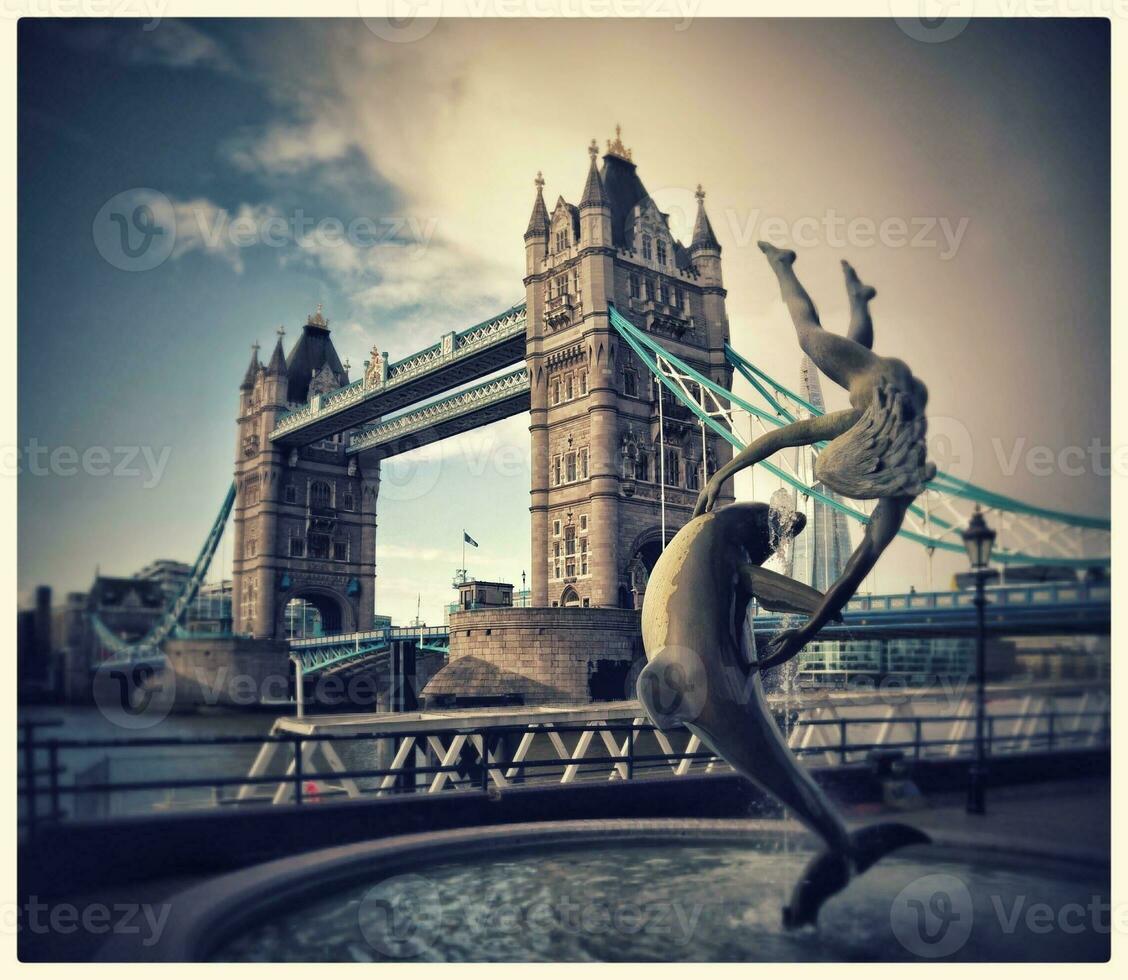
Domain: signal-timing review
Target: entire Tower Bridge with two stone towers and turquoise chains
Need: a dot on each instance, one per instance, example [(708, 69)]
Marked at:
[(621, 354)]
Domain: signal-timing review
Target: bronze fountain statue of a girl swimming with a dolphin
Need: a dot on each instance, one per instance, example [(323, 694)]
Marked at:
[(703, 670)]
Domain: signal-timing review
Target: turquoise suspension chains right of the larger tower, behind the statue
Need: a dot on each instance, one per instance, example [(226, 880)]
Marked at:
[(1034, 534)]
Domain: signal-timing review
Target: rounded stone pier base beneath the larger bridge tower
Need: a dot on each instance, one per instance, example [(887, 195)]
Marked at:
[(537, 657)]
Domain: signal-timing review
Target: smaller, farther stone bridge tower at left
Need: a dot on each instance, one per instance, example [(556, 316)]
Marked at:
[(305, 519)]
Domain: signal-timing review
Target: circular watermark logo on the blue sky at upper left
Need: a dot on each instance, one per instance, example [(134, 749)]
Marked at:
[(136, 231)]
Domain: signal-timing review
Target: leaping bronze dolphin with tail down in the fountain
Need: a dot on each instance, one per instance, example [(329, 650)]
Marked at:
[(701, 674)]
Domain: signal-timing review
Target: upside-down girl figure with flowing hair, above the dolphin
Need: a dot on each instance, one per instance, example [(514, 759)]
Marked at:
[(877, 447)]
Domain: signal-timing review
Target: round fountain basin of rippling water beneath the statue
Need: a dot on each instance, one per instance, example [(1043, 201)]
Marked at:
[(631, 890)]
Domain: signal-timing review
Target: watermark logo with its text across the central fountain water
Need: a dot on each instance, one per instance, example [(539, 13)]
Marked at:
[(403, 917)]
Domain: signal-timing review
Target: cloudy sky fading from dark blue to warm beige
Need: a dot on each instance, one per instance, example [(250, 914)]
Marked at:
[(968, 181)]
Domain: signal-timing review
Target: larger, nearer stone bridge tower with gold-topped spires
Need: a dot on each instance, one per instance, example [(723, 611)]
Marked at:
[(597, 442)]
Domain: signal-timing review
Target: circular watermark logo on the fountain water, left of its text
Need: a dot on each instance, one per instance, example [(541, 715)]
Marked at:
[(402, 916)]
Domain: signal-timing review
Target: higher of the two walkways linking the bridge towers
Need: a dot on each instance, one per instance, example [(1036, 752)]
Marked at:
[(457, 359)]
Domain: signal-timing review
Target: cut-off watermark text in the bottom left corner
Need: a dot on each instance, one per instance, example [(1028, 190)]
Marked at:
[(42, 919)]
